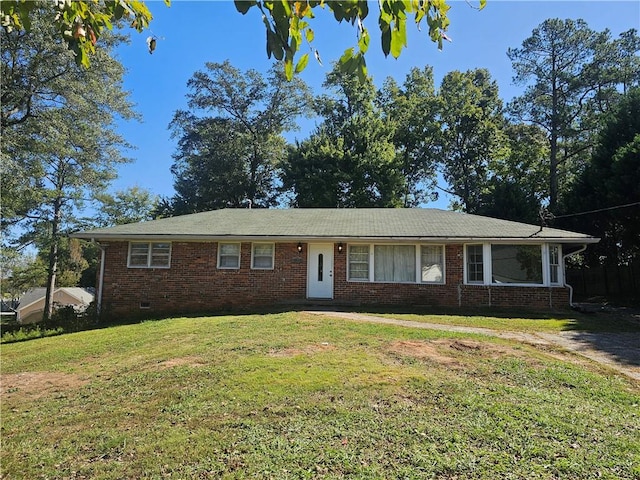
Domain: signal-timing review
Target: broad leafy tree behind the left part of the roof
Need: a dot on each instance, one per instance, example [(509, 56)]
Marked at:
[(230, 140)]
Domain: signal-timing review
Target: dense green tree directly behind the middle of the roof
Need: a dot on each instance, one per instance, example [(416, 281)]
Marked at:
[(350, 155)]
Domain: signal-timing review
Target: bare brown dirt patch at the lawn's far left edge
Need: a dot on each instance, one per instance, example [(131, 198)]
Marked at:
[(34, 385)]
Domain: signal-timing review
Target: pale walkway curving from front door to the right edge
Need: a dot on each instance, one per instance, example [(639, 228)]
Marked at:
[(619, 351)]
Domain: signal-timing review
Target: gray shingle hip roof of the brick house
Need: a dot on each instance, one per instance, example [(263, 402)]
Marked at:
[(348, 224)]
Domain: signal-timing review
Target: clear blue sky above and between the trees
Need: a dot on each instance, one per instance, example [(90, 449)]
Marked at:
[(191, 33)]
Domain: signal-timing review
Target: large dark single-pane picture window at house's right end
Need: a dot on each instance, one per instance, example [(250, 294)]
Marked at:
[(516, 264)]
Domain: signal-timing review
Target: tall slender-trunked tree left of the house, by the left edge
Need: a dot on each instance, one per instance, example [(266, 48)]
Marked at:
[(60, 145)]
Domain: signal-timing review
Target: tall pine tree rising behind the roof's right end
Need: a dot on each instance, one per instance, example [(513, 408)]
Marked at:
[(571, 75)]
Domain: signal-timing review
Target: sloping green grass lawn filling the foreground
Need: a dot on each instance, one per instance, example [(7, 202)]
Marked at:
[(294, 395)]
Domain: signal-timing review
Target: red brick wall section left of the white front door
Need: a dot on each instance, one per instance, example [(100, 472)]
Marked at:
[(195, 284)]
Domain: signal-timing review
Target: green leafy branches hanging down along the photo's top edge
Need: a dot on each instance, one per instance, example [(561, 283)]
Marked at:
[(287, 22)]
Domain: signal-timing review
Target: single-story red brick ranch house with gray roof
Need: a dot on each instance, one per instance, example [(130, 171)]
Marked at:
[(243, 258)]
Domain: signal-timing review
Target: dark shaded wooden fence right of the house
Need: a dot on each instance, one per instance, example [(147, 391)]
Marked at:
[(617, 280)]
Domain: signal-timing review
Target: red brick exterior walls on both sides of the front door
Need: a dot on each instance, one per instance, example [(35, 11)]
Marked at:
[(193, 283)]
